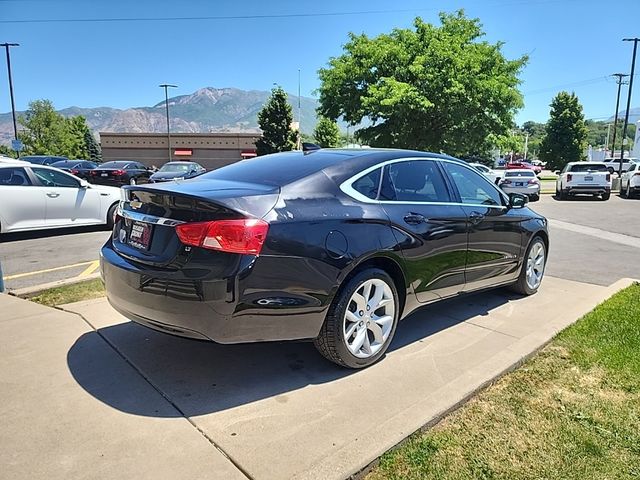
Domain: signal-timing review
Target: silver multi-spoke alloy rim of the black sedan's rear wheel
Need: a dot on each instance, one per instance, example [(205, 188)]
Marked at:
[(369, 318)]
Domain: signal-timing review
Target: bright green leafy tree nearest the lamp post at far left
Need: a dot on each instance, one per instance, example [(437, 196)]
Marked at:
[(44, 129)]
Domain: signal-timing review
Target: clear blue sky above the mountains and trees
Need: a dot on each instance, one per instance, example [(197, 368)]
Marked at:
[(573, 44)]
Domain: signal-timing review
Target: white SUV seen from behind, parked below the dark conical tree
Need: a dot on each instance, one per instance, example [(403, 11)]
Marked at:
[(592, 178)]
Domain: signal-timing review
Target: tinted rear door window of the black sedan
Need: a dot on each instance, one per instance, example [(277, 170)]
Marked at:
[(414, 181)]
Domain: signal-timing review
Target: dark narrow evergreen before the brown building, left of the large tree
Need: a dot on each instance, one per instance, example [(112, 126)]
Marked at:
[(275, 120)]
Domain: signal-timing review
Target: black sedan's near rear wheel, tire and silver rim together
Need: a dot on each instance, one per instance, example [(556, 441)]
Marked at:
[(346, 326)]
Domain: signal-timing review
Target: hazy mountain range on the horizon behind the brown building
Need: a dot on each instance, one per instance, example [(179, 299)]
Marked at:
[(205, 110)]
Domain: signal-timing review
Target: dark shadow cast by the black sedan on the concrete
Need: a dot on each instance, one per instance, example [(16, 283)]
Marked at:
[(203, 377)]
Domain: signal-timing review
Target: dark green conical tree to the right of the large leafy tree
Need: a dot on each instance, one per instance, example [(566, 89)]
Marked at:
[(565, 133)]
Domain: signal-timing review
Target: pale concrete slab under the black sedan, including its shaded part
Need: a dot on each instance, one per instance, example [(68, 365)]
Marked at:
[(107, 398)]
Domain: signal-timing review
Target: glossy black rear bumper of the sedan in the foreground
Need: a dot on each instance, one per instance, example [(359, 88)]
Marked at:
[(245, 307)]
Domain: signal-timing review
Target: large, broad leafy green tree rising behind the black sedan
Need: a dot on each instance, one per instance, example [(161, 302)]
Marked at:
[(432, 87)]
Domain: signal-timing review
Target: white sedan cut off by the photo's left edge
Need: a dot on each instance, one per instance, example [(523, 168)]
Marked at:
[(35, 197)]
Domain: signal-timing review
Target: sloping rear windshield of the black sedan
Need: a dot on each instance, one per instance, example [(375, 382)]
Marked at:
[(278, 169)]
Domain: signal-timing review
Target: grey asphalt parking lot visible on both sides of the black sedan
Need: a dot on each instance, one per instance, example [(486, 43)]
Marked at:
[(592, 241)]
